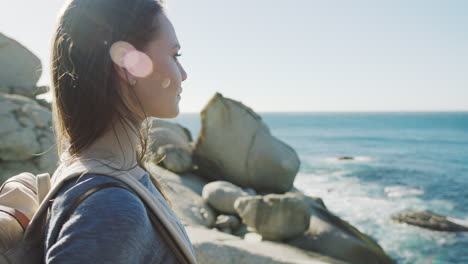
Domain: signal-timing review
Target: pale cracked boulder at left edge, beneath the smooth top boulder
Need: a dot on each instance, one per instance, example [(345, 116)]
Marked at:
[(27, 141)]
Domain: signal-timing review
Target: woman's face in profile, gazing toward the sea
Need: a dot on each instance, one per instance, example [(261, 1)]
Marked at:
[(159, 86)]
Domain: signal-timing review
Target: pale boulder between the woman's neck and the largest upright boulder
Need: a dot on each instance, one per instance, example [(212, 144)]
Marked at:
[(170, 146)]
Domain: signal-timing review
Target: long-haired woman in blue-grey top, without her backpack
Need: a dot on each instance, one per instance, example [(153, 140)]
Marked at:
[(114, 63)]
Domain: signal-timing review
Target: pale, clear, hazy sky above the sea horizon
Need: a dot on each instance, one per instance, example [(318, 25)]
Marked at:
[(301, 55)]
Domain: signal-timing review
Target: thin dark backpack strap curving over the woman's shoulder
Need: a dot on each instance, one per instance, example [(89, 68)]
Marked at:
[(154, 218)]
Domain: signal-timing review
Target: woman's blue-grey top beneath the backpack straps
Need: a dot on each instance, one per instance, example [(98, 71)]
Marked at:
[(110, 226)]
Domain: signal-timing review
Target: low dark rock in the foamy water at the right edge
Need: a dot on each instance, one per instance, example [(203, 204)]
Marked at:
[(430, 220)]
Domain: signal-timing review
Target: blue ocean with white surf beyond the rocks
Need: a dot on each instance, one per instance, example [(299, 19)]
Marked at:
[(402, 161)]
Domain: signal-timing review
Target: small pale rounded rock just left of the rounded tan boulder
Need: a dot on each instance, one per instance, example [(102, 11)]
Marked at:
[(221, 195)]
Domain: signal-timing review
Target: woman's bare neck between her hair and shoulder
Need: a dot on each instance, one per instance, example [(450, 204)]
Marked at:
[(117, 145)]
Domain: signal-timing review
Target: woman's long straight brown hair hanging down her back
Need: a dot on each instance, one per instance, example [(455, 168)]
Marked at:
[(87, 97)]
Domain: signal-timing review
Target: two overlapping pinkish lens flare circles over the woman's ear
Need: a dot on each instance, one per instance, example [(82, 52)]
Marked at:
[(128, 57)]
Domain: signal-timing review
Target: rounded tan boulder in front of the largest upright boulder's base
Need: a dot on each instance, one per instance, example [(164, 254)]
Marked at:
[(275, 216)]
